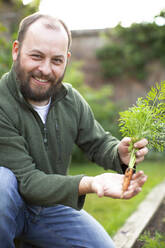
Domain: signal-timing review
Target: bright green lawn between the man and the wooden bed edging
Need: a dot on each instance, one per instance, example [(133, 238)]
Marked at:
[(112, 213)]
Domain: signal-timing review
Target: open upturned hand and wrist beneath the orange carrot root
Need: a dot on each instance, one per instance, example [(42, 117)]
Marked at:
[(110, 185)]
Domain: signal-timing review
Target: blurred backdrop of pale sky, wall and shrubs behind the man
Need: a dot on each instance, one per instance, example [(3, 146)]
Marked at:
[(118, 50)]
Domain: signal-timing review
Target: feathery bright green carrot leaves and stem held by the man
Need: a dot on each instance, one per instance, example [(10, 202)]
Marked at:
[(146, 119)]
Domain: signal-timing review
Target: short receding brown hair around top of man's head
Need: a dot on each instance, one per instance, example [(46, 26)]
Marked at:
[(27, 21)]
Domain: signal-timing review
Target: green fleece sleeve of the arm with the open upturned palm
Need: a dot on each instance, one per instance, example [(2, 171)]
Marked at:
[(36, 187)]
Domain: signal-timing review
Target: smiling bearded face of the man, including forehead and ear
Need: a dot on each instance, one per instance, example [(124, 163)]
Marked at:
[(40, 62)]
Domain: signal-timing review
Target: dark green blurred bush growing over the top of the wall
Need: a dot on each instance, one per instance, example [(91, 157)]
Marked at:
[(129, 50)]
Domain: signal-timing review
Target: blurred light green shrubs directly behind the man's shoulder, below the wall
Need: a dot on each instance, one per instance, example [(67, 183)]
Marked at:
[(104, 109)]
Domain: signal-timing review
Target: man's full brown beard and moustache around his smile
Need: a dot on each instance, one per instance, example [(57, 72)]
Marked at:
[(39, 94)]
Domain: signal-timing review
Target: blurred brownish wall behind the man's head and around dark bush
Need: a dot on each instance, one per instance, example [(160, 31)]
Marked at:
[(126, 90)]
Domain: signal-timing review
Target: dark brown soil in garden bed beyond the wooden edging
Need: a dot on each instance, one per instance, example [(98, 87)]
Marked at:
[(156, 224)]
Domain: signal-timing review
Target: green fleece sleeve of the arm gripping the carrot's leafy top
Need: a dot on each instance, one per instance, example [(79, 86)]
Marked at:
[(99, 145)]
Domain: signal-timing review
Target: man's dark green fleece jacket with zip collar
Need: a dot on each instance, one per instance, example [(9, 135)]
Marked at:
[(39, 155)]
